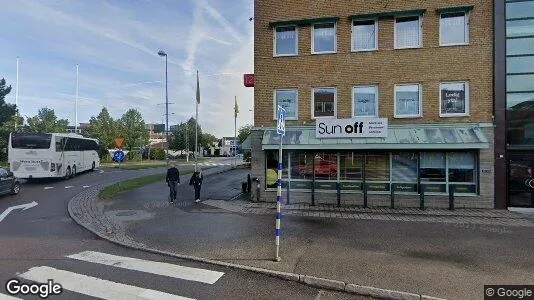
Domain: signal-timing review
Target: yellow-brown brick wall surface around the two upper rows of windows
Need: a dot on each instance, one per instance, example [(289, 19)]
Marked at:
[(428, 65)]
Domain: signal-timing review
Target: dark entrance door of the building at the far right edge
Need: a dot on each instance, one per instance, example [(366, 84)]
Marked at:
[(520, 179)]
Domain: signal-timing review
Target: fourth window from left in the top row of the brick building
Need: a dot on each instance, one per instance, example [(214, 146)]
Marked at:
[(408, 32)]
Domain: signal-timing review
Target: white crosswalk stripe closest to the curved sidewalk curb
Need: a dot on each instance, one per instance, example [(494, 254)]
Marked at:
[(158, 268)]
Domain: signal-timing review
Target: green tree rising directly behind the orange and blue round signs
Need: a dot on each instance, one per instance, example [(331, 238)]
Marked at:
[(133, 128)]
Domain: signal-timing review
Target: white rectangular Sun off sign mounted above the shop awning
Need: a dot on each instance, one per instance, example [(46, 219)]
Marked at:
[(351, 128)]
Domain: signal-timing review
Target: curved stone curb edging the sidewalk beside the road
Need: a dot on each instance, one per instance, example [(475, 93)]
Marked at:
[(317, 282)]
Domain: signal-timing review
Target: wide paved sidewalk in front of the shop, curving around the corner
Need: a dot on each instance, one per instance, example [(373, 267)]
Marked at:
[(433, 252)]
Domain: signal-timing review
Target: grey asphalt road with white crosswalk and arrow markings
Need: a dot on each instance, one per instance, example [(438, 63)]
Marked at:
[(43, 242)]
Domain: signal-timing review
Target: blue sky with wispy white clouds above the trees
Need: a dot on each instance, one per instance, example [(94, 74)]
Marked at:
[(115, 44)]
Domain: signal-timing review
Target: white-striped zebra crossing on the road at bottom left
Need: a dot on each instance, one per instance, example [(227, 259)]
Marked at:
[(107, 289)]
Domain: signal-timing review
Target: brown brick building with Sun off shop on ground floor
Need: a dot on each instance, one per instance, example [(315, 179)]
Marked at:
[(415, 77)]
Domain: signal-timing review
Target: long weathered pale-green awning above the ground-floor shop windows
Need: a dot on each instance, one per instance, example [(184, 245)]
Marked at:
[(435, 137)]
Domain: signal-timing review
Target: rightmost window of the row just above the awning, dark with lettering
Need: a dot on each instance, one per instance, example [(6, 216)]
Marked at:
[(454, 99)]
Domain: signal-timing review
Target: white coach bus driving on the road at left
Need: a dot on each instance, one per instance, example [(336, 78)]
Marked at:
[(49, 155)]
